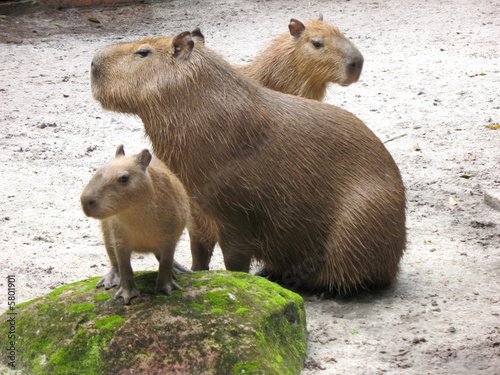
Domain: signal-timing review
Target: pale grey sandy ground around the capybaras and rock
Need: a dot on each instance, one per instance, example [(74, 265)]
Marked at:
[(431, 75)]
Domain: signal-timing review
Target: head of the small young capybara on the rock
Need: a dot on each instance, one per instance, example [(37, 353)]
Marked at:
[(119, 185)]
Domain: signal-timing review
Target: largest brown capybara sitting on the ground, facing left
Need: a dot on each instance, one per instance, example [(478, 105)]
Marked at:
[(302, 187)]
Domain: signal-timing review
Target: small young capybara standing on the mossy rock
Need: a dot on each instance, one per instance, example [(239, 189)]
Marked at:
[(142, 207)]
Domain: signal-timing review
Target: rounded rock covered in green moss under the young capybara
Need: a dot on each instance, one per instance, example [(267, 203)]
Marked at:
[(219, 323)]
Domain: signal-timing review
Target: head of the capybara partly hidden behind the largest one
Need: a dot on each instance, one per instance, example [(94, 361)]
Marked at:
[(324, 50)]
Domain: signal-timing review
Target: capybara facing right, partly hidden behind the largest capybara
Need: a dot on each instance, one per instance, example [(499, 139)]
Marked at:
[(305, 60)]
